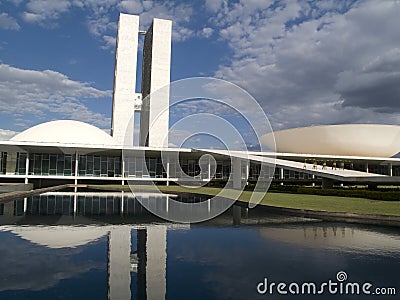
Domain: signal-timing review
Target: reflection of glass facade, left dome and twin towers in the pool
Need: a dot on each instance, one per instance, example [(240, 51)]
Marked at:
[(148, 261)]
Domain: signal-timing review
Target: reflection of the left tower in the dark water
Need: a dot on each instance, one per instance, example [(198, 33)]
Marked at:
[(119, 264)]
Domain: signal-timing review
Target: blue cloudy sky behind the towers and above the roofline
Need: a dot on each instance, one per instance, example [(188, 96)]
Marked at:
[(305, 62)]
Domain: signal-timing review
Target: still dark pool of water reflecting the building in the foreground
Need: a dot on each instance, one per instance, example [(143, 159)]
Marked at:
[(104, 246)]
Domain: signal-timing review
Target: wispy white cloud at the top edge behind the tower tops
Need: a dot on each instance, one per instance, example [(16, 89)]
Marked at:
[(47, 12)]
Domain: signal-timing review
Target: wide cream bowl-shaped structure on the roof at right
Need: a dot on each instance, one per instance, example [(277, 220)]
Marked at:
[(371, 140)]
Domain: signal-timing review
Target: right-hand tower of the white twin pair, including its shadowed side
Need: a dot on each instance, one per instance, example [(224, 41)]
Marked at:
[(154, 119)]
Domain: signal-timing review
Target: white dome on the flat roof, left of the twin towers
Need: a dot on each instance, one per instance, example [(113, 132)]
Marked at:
[(65, 132)]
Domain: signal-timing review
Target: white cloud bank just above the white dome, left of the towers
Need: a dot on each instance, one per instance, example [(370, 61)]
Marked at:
[(40, 93)]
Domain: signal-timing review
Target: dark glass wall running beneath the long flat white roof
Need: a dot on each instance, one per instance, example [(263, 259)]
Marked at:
[(47, 164)]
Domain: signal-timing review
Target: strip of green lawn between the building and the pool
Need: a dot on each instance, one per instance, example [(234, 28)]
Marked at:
[(302, 201)]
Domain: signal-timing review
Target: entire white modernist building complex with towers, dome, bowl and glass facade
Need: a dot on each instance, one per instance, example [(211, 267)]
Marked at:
[(76, 152)]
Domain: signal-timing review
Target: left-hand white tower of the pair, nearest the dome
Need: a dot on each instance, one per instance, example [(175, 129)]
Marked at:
[(125, 79)]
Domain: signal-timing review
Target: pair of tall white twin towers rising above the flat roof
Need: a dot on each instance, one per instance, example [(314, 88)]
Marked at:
[(156, 65)]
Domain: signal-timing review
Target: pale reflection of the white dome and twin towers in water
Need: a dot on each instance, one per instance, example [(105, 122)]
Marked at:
[(149, 261)]
